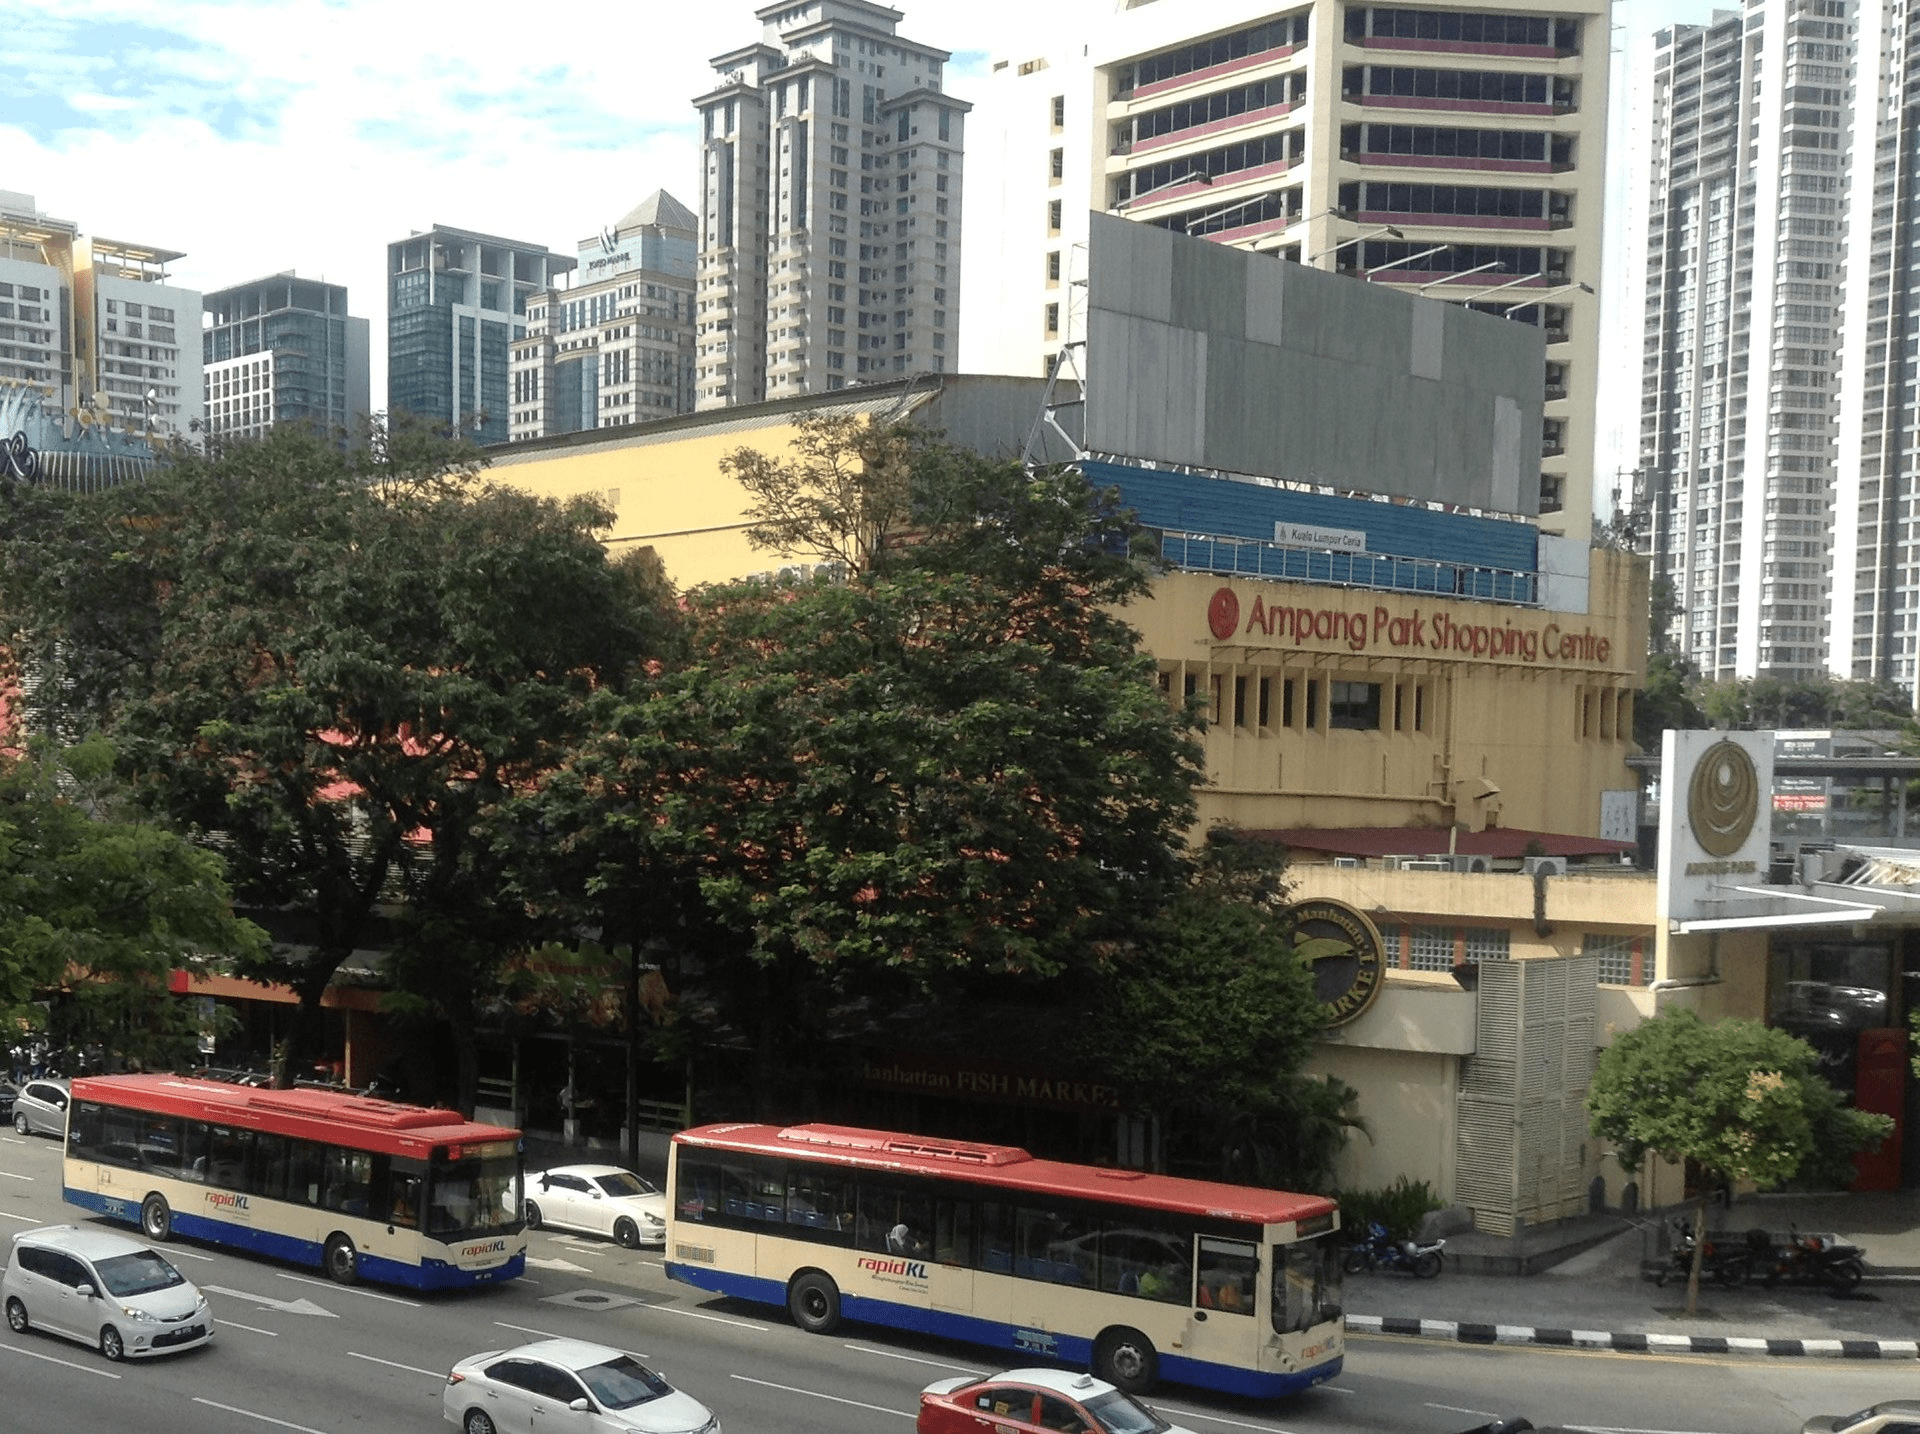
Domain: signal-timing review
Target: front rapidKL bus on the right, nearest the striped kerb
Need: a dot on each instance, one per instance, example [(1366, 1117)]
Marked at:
[(1138, 1276)]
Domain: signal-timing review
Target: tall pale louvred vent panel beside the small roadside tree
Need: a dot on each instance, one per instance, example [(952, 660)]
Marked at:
[(1522, 1137)]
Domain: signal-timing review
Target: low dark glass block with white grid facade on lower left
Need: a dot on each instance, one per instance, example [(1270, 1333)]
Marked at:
[(285, 350)]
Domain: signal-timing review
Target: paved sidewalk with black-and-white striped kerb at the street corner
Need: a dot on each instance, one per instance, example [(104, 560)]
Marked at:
[(1598, 1297)]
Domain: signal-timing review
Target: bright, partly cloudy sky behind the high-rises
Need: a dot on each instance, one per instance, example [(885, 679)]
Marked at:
[(270, 135)]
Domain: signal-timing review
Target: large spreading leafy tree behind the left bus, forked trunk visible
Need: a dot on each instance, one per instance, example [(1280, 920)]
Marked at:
[(329, 667)]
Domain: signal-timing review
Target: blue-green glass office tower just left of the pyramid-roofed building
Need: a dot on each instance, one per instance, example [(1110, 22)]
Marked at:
[(454, 308)]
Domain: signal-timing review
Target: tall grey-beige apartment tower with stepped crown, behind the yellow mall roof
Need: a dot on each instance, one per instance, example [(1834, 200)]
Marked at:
[(830, 208)]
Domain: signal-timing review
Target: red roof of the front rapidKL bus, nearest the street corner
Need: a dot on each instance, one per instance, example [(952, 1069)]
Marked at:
[(1009, 1168)]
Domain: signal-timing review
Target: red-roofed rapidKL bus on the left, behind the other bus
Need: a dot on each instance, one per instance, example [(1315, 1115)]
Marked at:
[(362, 1187)]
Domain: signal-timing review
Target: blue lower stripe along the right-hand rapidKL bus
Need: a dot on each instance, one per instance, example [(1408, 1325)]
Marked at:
[(997, 1335)]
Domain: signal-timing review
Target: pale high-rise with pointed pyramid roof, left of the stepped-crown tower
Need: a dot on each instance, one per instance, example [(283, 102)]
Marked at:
[(617, 347)]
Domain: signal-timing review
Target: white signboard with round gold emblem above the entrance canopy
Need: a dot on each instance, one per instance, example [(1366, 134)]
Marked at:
[(1716, 826)]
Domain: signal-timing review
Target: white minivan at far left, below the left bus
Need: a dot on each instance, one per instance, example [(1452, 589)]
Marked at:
[(103, 1289)]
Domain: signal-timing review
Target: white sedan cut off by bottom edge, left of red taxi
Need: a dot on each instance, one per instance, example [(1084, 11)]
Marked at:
[(567, 1385)]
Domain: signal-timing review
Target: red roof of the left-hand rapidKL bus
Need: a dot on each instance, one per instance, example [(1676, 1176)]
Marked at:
[(333, 1116)]
